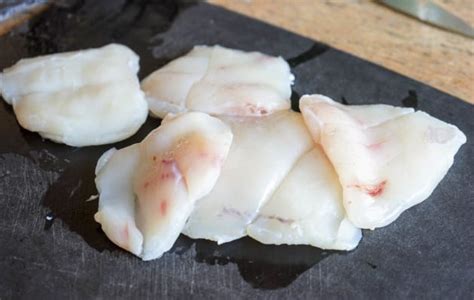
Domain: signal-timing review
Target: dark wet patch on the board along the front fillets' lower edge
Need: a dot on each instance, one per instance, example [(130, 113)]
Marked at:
[(262, 266)]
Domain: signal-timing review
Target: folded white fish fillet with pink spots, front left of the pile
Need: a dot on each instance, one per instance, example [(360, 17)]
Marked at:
[(148, 190)]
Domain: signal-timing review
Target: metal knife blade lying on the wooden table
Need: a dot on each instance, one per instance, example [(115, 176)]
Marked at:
[(431, 13)]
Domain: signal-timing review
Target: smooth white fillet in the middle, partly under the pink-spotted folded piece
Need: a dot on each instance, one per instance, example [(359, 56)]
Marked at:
[(263, 151)]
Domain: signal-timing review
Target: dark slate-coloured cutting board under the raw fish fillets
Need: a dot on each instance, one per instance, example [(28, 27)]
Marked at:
[(426, 253)]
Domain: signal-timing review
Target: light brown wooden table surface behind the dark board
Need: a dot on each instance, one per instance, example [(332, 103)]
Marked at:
[(368, 30)]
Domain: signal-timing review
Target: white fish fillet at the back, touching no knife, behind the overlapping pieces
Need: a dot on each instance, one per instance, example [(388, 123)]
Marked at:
[(220, 81)]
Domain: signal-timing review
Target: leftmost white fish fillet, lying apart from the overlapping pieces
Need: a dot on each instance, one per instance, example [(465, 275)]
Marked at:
[(80, 98)]
